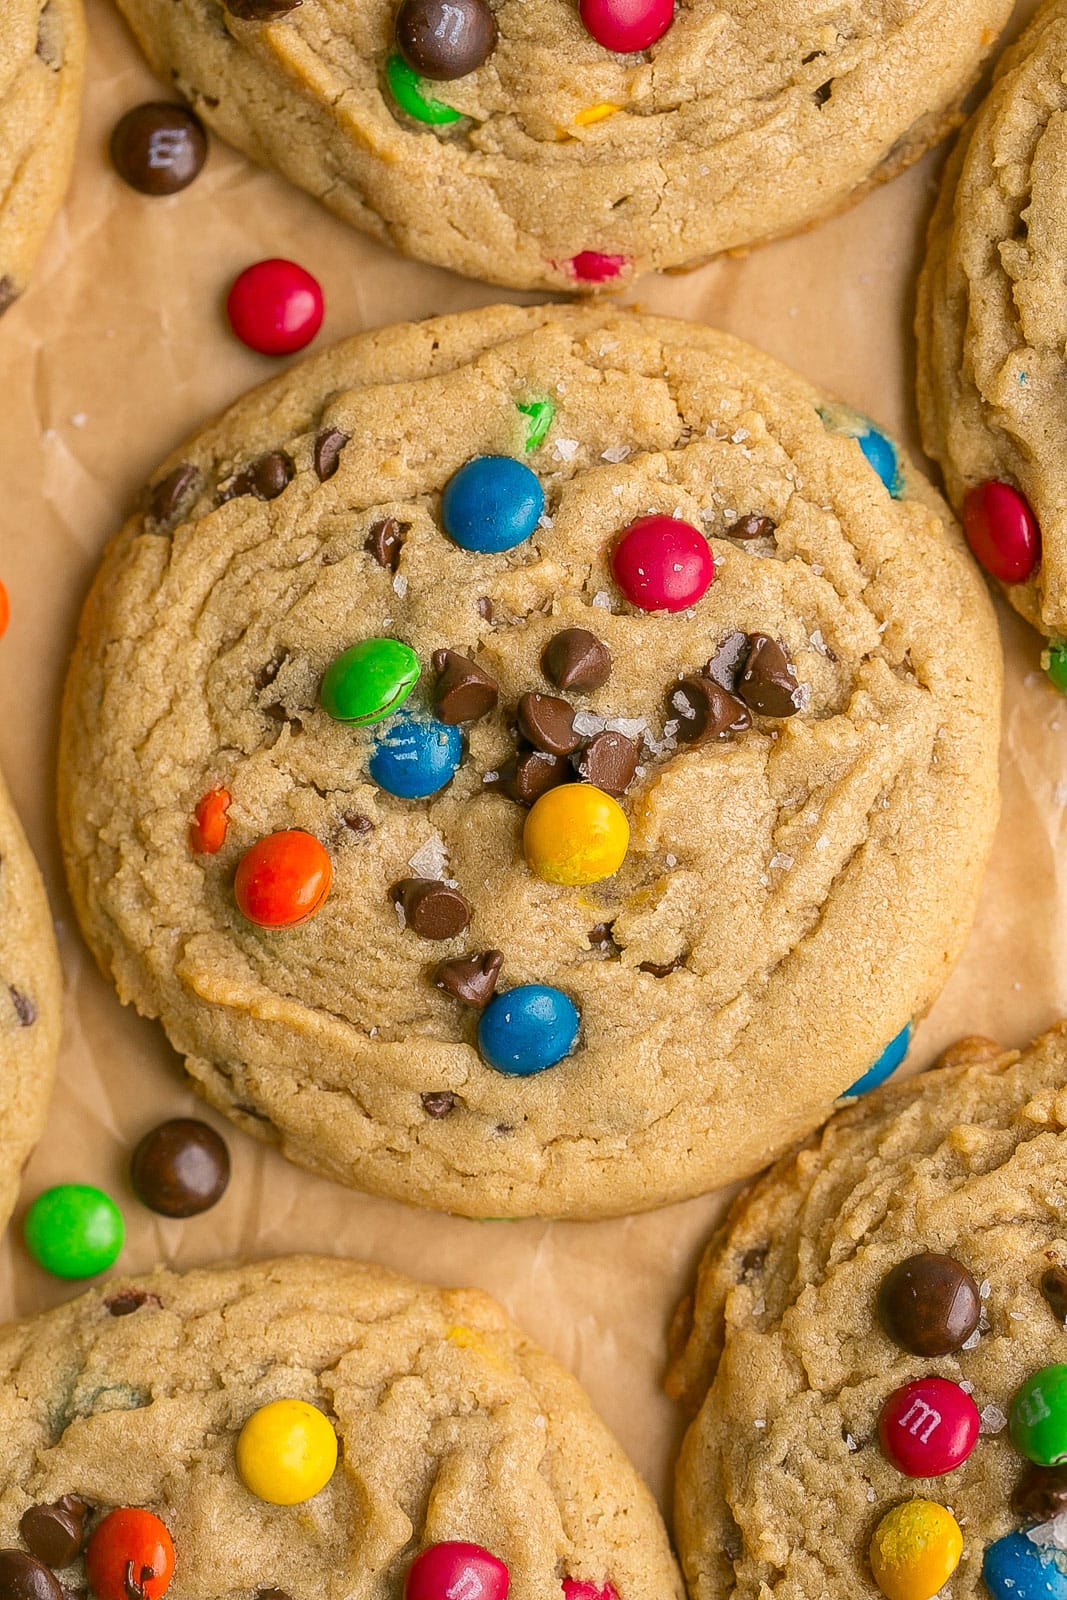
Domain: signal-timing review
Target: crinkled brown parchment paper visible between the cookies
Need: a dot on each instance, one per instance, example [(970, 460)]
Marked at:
[(121, 350)]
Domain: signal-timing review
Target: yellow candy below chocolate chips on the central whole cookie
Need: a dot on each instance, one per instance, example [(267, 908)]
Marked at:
[(577, 834)]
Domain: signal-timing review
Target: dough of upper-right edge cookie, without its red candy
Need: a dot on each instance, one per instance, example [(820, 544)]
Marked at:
[(993, 321)]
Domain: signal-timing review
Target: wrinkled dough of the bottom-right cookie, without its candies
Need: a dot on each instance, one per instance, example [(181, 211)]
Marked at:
[(781, 1479)]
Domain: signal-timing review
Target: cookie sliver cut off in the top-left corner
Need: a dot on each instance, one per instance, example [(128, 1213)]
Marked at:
[(42, 62)]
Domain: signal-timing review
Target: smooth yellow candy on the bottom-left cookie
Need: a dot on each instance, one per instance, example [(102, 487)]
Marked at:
[(287, 1452)]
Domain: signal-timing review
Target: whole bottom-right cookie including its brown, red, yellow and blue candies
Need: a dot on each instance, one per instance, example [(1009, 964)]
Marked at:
[(868, 1329)]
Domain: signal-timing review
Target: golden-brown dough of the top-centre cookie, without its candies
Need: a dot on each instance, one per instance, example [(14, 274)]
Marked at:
[(748, 119)]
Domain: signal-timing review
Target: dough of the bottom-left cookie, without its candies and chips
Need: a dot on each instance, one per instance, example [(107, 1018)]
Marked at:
[(452, 1426)]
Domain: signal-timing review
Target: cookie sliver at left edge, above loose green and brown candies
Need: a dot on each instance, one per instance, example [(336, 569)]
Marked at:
[(31, 996)]
